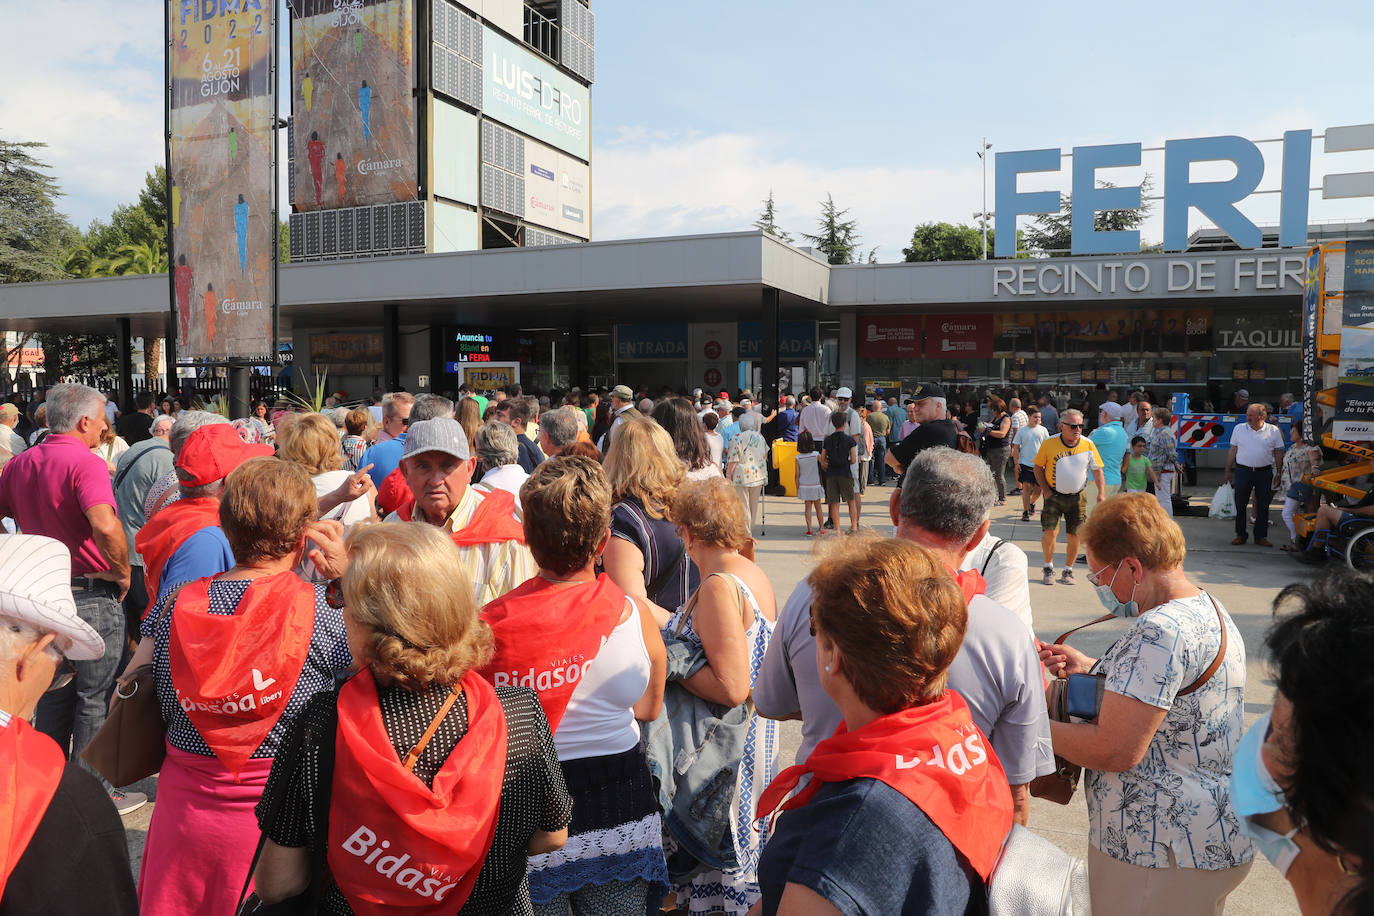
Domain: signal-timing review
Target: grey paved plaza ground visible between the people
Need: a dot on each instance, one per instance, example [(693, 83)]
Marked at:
[(1244, 579)]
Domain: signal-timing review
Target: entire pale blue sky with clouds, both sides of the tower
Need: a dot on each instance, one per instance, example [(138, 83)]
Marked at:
[(701, 109)]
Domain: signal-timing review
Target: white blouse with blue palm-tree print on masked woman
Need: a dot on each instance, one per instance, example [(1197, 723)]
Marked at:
[(1178, 796)]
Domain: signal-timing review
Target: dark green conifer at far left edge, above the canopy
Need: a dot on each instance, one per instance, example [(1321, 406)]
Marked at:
[(34, 236)]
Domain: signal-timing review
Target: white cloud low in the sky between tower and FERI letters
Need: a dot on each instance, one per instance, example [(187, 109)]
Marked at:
[(652, 183)]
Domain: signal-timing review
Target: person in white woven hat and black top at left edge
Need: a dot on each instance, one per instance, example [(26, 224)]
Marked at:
[(60, 821)]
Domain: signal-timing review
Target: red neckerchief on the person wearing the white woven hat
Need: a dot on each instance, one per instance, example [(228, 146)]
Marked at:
[(31, 768)]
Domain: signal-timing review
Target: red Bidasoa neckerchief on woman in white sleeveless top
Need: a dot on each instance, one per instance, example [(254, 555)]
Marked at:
[(548, 637)]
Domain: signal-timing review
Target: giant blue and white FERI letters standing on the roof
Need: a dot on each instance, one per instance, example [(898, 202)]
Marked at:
[(1215, 200)]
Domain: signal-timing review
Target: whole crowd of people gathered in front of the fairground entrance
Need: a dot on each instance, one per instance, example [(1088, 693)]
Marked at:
[(493, 654)]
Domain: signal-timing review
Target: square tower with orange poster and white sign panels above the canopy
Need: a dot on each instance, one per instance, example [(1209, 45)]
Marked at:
[(432, 126)]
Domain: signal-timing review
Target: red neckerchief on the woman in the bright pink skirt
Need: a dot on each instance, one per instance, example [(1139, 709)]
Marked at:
[(236, 674)]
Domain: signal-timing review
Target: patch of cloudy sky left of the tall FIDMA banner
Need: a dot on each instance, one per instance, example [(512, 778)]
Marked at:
[(86, 78)]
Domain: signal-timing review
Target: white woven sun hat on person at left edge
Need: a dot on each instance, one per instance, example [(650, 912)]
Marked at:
[(36, 590)]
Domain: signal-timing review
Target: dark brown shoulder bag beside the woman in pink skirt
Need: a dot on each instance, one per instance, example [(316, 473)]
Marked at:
[(133, 741)]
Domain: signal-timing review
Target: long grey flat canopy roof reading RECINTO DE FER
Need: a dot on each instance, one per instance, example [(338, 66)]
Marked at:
[(699, 277)]
